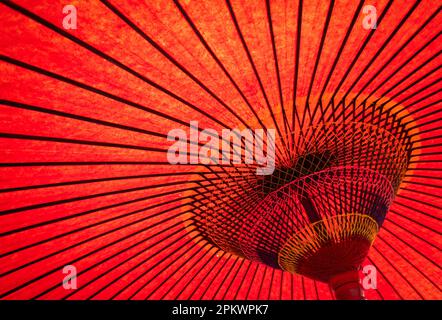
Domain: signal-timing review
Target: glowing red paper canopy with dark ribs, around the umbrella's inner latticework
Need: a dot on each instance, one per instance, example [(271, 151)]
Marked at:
[(85, 114)]
